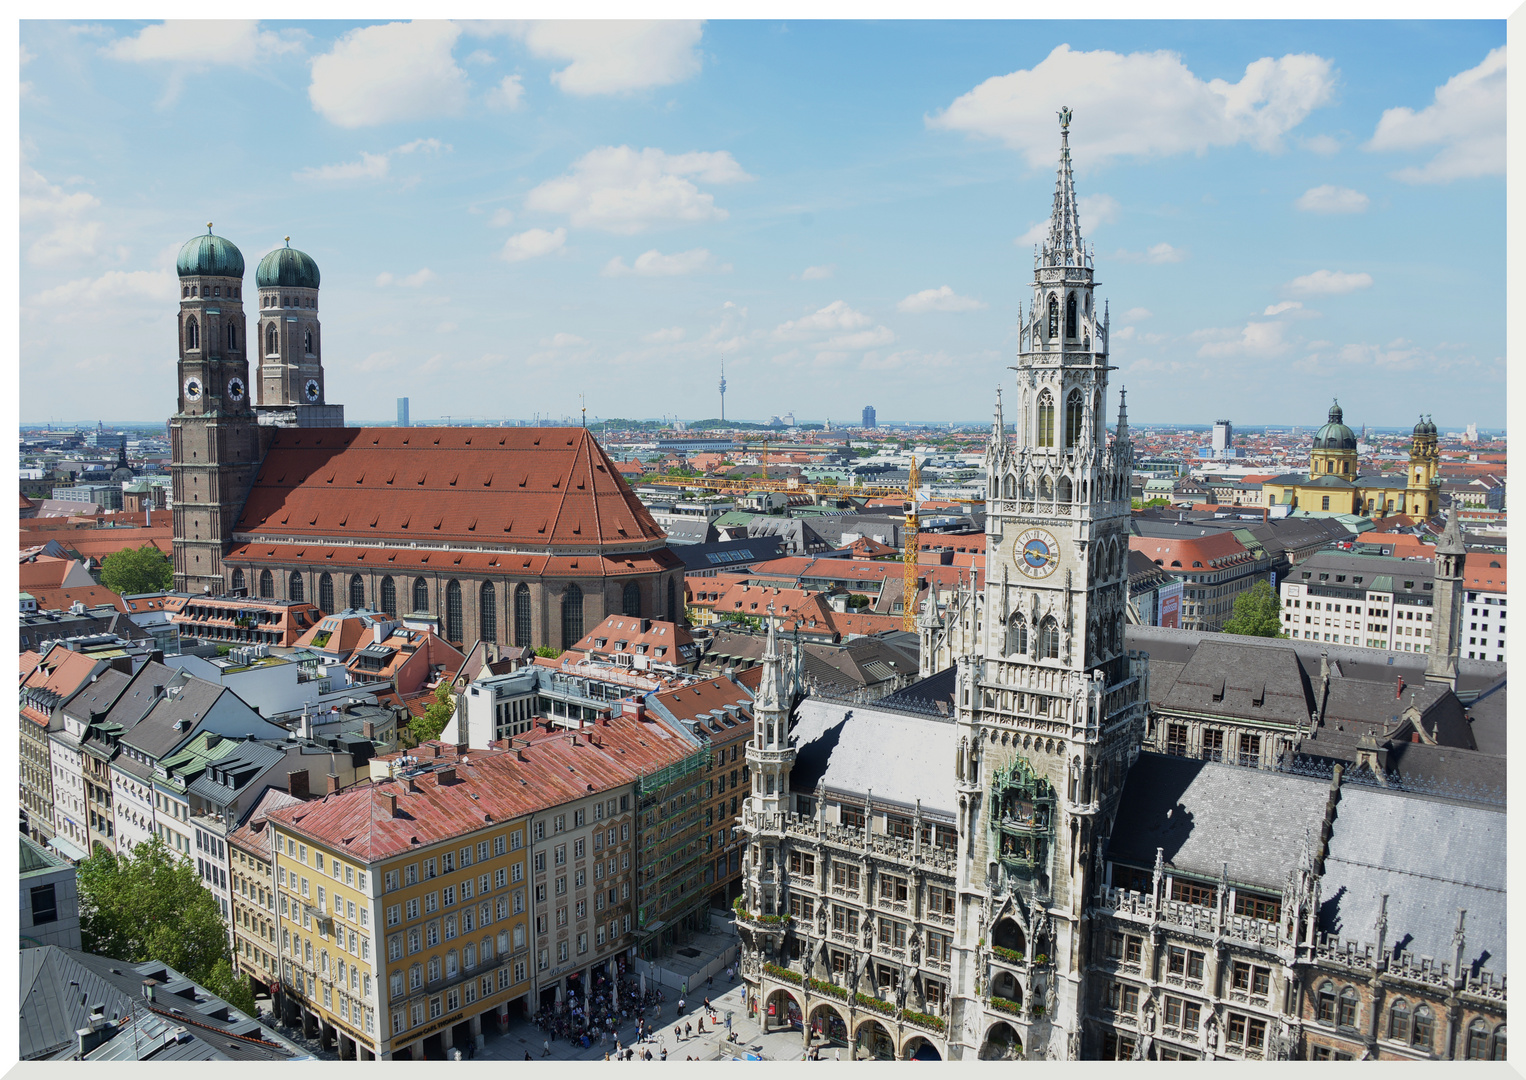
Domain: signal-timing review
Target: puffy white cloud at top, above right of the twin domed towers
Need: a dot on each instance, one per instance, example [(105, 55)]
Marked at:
[(388, 74)]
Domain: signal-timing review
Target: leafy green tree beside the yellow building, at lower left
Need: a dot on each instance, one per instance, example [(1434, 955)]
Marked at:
[(149, 904)]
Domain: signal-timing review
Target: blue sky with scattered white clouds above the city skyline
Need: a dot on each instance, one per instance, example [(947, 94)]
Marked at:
[(510, 216)]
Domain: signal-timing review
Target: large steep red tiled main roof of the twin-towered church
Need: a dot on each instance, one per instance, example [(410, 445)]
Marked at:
[(446, 484)]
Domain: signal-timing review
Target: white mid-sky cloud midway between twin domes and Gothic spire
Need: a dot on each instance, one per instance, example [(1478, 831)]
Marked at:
[(626, 191)]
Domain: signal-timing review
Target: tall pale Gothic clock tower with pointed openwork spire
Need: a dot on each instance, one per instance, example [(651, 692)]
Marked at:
[(1048, 701)]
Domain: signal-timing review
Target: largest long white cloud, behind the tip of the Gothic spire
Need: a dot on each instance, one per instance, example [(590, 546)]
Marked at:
[(1141, 104)]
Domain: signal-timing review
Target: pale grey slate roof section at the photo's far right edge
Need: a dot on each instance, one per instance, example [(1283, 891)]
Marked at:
[(1431, 858)]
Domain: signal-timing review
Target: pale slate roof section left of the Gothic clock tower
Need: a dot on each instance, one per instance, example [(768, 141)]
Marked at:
[(855, 748)]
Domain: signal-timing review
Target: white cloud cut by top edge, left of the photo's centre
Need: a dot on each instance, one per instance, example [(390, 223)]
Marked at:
[(616, 56)]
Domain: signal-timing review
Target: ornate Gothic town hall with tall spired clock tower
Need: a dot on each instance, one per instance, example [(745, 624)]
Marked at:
[(1017, 858)]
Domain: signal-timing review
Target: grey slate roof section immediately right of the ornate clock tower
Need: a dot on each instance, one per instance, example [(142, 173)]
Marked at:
[(1205, 815)]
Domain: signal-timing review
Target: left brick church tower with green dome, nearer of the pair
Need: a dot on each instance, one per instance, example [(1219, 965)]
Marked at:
[(214, 436)]
